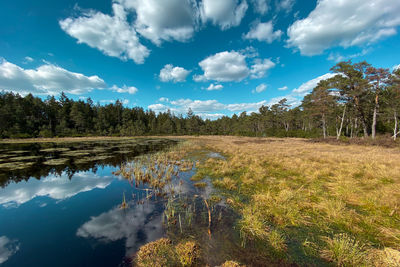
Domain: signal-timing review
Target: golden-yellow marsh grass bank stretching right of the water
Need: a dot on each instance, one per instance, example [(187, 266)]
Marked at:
[(311, 203)]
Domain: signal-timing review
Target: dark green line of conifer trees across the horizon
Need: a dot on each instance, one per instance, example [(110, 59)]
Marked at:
[(360, 100)]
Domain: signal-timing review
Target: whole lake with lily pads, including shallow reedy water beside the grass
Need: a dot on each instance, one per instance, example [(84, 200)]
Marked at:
[(60, 205)]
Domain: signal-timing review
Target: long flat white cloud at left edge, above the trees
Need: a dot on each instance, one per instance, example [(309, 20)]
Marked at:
[(46, 79)]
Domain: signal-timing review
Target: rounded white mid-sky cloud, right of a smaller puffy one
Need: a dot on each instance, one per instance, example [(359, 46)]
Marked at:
[(224, 67)]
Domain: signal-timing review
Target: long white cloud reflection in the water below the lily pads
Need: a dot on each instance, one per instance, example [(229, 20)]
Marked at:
[(58, 188)]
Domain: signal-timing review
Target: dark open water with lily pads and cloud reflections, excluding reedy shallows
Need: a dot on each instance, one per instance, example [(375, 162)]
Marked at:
[(68, 214)]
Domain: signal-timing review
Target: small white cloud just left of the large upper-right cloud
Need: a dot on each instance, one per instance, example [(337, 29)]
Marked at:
[(263, 32)]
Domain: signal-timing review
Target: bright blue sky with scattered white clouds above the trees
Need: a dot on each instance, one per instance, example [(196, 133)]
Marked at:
[(217, 57)]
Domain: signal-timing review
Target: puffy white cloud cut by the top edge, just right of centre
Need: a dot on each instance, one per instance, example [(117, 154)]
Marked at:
[(224, 13)]
